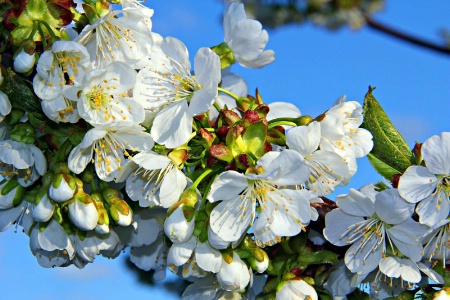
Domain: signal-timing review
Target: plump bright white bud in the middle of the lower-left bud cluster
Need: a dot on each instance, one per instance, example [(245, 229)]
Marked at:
[(83, 212)]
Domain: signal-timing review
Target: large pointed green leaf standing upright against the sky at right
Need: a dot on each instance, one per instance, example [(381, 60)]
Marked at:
[(390, 152)]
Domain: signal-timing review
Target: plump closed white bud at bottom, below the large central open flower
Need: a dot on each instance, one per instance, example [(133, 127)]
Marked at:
[(234, 275)]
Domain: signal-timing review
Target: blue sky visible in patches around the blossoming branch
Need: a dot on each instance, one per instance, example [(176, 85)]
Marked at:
[(313, 67)]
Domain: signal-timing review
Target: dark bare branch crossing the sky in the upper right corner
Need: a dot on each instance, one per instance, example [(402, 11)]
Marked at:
[(405, 37)]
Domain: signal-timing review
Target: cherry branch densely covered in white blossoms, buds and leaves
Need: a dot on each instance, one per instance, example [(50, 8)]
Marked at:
[(111, 138)]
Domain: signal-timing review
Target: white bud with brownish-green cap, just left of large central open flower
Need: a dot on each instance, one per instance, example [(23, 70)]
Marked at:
[(177, 227)]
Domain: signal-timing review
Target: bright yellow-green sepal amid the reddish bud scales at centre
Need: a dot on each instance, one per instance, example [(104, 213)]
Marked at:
[(254, 139)]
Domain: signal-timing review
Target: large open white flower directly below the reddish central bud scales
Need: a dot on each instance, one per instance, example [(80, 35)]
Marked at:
[(284, 212)]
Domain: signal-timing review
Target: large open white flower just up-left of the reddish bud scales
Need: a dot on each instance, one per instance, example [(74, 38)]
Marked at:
[(167, 82)]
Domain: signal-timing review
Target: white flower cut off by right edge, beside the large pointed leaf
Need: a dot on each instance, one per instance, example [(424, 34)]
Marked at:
[(430, 184)]
